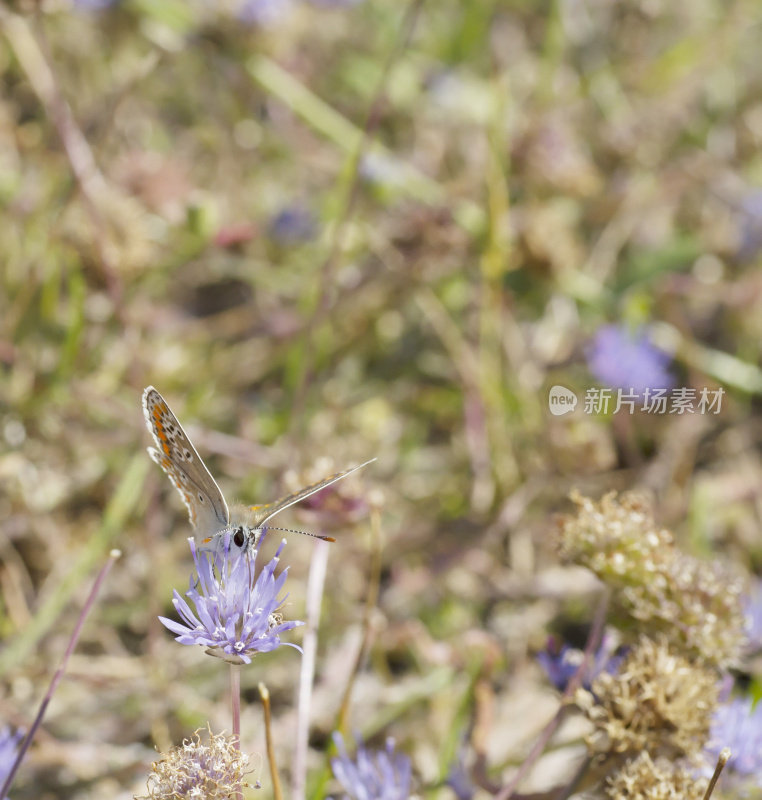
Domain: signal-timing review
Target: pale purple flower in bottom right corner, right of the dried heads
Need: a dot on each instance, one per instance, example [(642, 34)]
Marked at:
[(738, 725)]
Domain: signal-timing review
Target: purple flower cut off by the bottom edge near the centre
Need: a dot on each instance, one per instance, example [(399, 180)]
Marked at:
[(372, 774)]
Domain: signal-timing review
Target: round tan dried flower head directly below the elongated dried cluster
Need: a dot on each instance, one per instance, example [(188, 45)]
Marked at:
[(658, 701)]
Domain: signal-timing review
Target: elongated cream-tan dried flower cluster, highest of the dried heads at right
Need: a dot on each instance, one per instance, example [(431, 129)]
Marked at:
[(697, 604)]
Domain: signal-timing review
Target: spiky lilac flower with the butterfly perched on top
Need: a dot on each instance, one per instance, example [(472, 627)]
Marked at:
[(236, 608)]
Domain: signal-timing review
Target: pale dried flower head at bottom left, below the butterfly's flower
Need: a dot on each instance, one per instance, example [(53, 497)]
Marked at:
[(198, 771)]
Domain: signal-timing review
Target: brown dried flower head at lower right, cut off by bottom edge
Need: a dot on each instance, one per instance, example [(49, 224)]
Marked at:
[(644, 779)]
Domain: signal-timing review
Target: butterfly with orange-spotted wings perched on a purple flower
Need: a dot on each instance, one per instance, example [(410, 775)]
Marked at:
[(207, 509)]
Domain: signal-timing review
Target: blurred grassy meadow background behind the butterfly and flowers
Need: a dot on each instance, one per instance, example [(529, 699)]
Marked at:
[(328, 231)]
